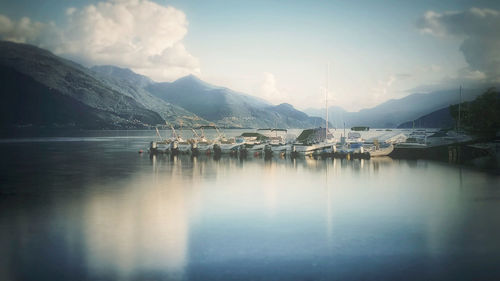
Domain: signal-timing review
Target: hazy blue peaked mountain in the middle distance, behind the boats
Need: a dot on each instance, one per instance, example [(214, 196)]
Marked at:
[(229, 108)]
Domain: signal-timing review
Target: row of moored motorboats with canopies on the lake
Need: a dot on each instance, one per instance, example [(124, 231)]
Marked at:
[(268, 142)]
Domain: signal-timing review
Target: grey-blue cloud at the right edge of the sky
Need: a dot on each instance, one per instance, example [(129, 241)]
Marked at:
[(479, 30)]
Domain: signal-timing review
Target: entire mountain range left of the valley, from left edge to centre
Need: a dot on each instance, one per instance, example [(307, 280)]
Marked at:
[(42, 90)]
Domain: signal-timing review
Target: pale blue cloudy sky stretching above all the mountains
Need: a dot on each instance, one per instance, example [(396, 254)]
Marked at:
[(277, 50)]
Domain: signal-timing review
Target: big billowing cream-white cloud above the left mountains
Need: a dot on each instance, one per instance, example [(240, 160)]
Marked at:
[(138, 34)]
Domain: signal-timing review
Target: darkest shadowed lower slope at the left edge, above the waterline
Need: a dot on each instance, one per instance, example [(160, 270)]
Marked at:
[(28, 103)]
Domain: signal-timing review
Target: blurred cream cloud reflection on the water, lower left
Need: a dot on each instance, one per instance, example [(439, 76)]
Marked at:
[(139, 226)]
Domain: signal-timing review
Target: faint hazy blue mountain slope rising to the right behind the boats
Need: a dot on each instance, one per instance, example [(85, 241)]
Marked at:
[(396, 111)]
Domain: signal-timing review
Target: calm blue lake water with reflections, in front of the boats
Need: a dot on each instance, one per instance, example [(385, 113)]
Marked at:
[(94, 209)]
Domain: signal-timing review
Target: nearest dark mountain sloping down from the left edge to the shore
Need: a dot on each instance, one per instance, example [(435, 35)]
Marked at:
[(43, 90)]
